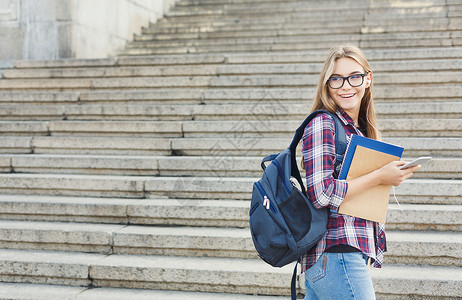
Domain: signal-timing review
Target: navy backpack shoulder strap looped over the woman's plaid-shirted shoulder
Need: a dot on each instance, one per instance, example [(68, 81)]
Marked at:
[(340, 144)]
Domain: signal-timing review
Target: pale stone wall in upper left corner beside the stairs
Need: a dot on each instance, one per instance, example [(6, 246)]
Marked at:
[(52, 29)]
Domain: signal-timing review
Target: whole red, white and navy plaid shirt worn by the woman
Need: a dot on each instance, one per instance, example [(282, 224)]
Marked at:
[(325, 191)]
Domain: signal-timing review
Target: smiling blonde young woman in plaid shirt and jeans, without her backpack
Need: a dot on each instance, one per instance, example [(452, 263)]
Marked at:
[(337, 267)]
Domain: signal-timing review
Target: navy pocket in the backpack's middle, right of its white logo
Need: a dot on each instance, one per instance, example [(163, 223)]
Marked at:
[(296, 209)]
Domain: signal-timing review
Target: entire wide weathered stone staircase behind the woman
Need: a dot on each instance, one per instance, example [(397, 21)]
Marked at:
[(130, 177)]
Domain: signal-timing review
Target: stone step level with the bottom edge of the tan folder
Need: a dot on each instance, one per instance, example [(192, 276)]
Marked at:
[(195, 212)]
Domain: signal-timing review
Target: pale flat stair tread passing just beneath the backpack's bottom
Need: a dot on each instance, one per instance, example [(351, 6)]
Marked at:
[(254, 266)]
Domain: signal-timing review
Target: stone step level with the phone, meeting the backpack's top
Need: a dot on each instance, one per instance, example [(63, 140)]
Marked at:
[(238, 166)]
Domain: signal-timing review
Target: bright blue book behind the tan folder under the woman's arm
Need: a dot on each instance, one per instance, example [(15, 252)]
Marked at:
[(357, 140)]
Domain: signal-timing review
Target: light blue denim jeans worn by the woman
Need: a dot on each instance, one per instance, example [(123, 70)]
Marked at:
[(339, 276)]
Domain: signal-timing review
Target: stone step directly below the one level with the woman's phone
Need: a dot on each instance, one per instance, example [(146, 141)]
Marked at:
[(422, 191)]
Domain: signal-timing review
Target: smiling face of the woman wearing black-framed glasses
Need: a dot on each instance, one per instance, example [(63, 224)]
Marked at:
[(348, 97)]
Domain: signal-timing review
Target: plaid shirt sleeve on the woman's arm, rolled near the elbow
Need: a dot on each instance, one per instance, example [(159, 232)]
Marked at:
[(318, 150)]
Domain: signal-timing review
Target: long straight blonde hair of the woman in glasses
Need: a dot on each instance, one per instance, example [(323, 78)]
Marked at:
[(323, 99)]
